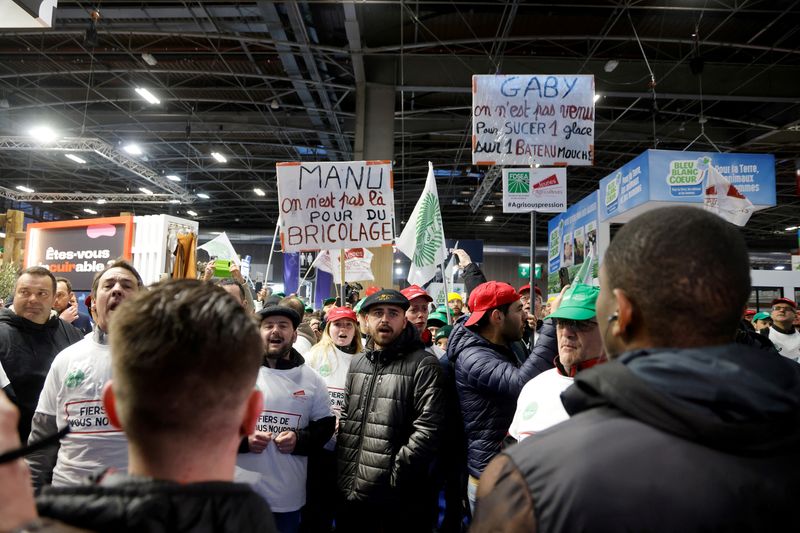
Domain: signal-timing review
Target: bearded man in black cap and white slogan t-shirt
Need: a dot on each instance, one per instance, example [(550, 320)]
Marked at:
[(296, 419)]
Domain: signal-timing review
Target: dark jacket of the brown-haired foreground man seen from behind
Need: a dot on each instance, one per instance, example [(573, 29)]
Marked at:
[(123, 503)]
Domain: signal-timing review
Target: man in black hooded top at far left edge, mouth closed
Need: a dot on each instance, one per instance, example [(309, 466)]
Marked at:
[(31, 334)]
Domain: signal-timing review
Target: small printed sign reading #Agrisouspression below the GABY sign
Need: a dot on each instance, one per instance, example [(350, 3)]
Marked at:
[(543, 190)]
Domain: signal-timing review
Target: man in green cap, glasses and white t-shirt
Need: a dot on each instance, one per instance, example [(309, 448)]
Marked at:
[(579, 347)]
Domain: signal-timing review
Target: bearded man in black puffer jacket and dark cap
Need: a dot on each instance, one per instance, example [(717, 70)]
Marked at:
[(391, 425)]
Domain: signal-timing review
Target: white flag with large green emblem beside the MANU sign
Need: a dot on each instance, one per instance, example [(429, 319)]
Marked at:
[(422, 239)]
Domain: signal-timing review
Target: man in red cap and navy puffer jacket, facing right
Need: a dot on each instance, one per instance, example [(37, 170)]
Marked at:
[(488, 374)]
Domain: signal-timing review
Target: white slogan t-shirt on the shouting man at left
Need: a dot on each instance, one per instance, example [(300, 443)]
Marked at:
[(73, 393)]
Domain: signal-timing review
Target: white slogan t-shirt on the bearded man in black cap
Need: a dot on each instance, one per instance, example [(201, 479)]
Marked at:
[(292, 398)]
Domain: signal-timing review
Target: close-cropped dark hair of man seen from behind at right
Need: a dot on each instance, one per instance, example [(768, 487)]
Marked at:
[(678, 263)]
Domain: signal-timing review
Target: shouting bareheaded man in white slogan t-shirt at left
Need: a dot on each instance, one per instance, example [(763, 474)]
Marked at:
[(73, 395)]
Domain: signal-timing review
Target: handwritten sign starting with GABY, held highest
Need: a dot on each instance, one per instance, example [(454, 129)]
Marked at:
[(525, 119)]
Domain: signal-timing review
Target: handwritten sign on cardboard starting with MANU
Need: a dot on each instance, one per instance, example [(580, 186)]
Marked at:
[(335, 205)]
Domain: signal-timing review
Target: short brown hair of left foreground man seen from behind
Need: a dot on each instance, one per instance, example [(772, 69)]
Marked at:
[(184, 356)]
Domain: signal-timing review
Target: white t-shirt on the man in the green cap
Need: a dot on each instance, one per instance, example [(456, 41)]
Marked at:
[(539, 404)]
